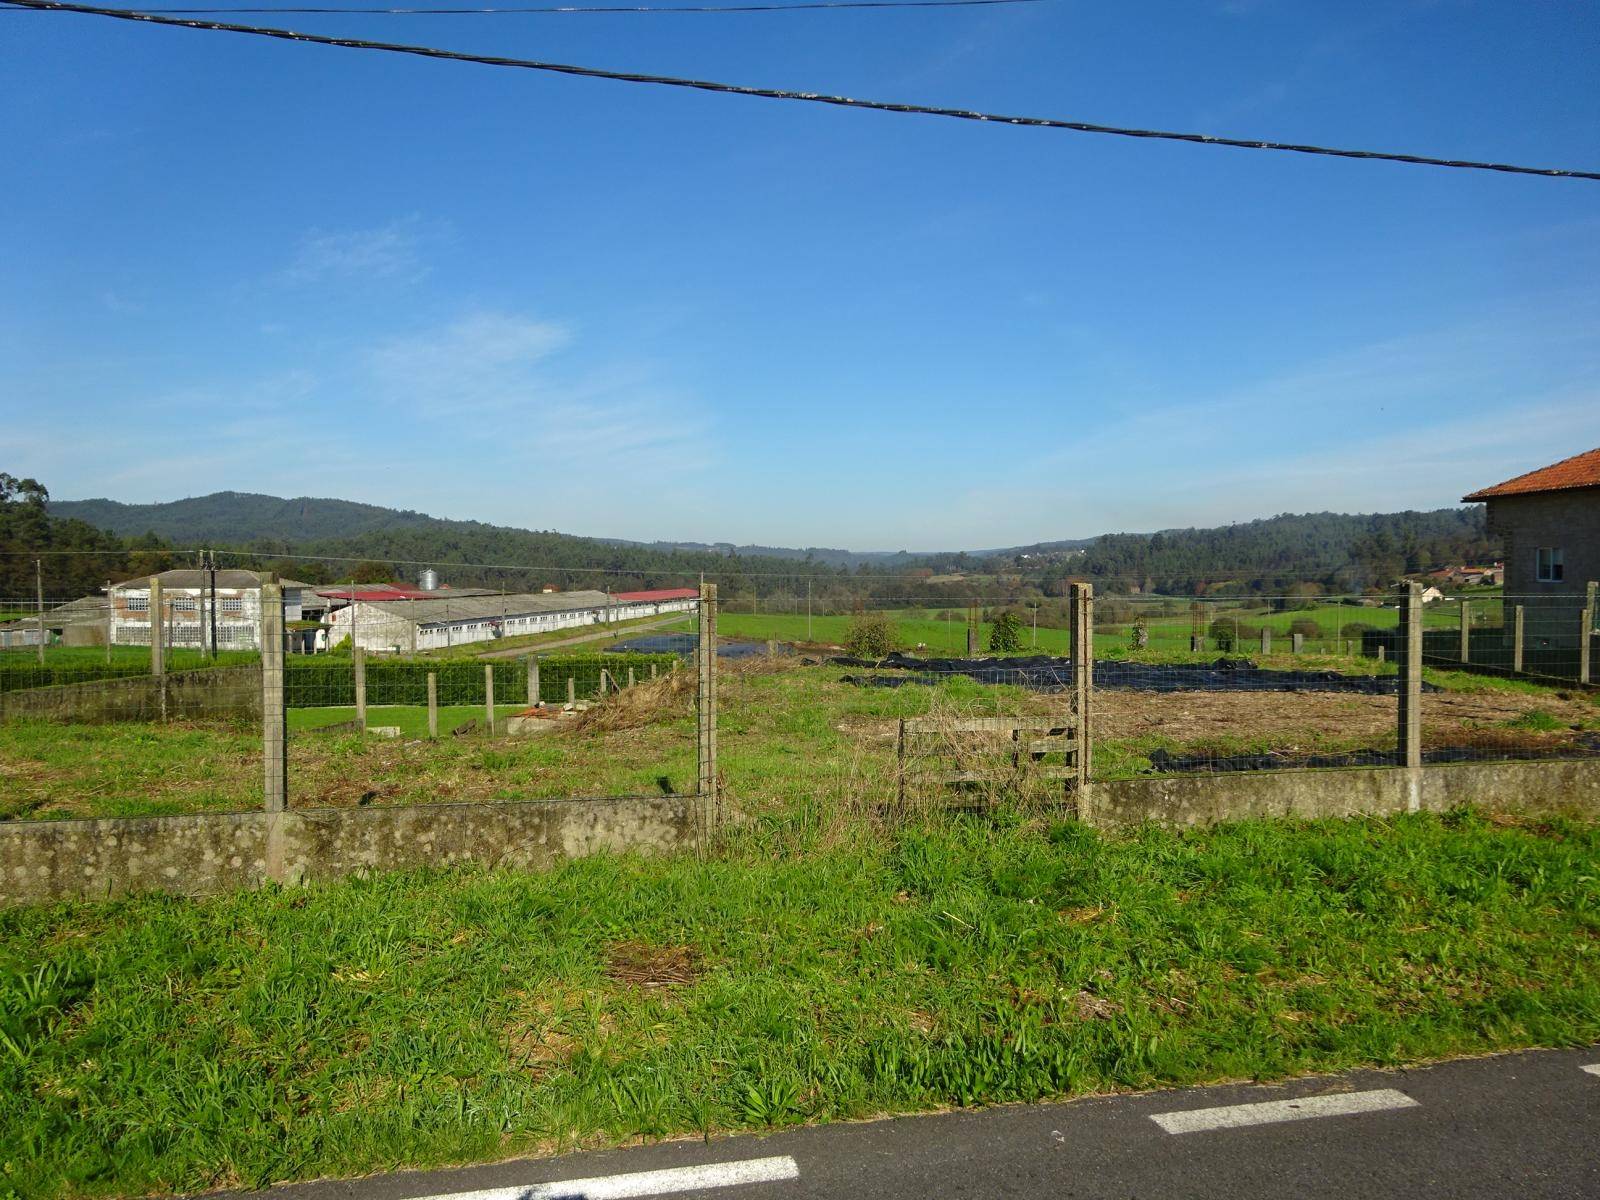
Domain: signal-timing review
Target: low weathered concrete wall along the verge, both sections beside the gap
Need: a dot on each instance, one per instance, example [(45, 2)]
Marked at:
[(209, 854)]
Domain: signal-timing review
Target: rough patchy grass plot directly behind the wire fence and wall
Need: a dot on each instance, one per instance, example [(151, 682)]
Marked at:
[(790, 735)]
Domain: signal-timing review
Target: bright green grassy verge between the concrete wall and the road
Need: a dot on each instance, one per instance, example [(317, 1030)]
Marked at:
[(812, 972)]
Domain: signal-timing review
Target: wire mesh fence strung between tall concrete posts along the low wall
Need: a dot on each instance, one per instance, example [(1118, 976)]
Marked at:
[(132, 703)]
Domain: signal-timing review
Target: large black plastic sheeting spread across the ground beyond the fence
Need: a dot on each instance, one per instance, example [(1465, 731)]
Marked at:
[(1042, 673)]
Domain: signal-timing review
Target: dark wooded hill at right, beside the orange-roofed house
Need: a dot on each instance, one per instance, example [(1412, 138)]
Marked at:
[(1338, 551)]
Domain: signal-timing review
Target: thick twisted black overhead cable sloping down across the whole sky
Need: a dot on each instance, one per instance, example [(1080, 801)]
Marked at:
[(786, 95)]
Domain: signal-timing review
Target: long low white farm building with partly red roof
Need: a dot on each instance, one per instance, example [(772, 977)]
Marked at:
[(386, 623)]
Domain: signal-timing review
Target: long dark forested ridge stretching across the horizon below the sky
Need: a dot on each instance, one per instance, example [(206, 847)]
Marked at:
[(1338, 553)]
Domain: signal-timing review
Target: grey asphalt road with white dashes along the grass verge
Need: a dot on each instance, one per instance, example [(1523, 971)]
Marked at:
[(1519, 1126)]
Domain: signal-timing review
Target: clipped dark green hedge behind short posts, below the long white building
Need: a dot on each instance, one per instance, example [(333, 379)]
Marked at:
[(329, 682)]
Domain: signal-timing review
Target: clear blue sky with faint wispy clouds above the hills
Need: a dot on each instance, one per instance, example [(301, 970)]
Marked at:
[(644, 313)]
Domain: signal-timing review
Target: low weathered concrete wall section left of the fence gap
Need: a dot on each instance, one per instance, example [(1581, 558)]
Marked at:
[(209, 854)]
